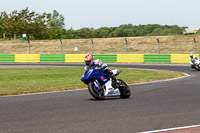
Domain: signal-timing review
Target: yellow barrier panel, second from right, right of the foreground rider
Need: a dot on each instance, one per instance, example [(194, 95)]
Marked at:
[(130, 58)]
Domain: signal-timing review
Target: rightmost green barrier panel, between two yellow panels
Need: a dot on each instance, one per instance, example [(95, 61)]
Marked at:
[(157, 58)]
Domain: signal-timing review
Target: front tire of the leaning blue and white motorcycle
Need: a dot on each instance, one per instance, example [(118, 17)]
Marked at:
[(96, 93)]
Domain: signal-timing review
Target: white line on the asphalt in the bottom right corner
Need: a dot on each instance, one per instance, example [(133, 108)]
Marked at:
[(171, 129)]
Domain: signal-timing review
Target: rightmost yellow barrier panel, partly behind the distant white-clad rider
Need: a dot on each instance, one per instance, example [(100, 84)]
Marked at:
[(181, 58)]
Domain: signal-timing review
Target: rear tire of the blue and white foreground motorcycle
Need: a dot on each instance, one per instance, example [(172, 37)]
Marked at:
[(124, 89)]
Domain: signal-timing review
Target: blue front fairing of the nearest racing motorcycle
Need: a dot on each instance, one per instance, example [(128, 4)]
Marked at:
[(92, 74)]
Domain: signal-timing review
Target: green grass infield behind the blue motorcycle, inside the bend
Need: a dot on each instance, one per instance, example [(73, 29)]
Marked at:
[(15, 81)]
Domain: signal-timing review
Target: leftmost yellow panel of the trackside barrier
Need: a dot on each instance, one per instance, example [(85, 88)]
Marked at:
[(27, 57)]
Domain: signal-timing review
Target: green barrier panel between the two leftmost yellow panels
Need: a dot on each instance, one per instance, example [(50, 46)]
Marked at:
[(52, 57)]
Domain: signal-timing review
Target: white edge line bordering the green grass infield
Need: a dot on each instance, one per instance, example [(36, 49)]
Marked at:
[(186, 75)]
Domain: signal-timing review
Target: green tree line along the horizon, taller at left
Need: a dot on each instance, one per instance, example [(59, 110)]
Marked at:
[(51, 26)]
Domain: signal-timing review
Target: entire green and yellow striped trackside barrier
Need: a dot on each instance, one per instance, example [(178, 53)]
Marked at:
[(107, 58)]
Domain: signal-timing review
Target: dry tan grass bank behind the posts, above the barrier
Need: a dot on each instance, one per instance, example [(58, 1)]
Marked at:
[(136, 45)]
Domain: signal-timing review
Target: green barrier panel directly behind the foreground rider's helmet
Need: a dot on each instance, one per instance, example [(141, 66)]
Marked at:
[(106, 58)]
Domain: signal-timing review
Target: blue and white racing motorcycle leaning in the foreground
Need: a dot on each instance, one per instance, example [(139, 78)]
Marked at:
[(100, 85)]
